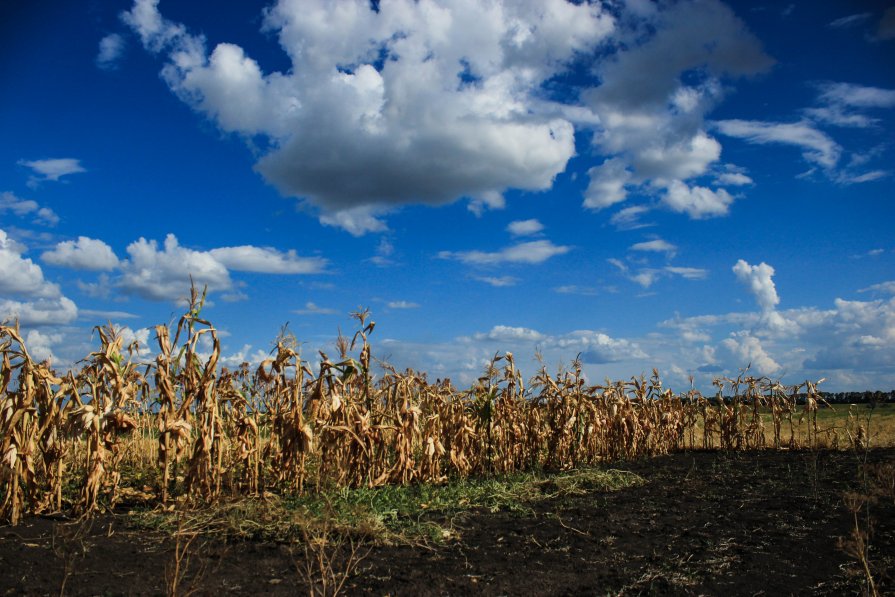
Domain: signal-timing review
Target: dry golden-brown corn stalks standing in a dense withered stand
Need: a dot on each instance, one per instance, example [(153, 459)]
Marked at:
[(182, 429)]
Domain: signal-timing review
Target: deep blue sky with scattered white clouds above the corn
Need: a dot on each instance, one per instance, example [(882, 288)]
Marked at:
[(693, 186)]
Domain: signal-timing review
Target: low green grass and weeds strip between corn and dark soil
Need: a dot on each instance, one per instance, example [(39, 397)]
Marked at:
[(391, 514)]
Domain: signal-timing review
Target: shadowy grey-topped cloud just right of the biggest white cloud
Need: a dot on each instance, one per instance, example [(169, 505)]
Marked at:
[(652, 100)]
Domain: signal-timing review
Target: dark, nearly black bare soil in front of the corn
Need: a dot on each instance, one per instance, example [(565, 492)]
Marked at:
[(704, 523)]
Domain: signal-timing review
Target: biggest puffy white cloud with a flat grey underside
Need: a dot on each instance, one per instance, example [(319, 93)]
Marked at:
[(416, 102)]
